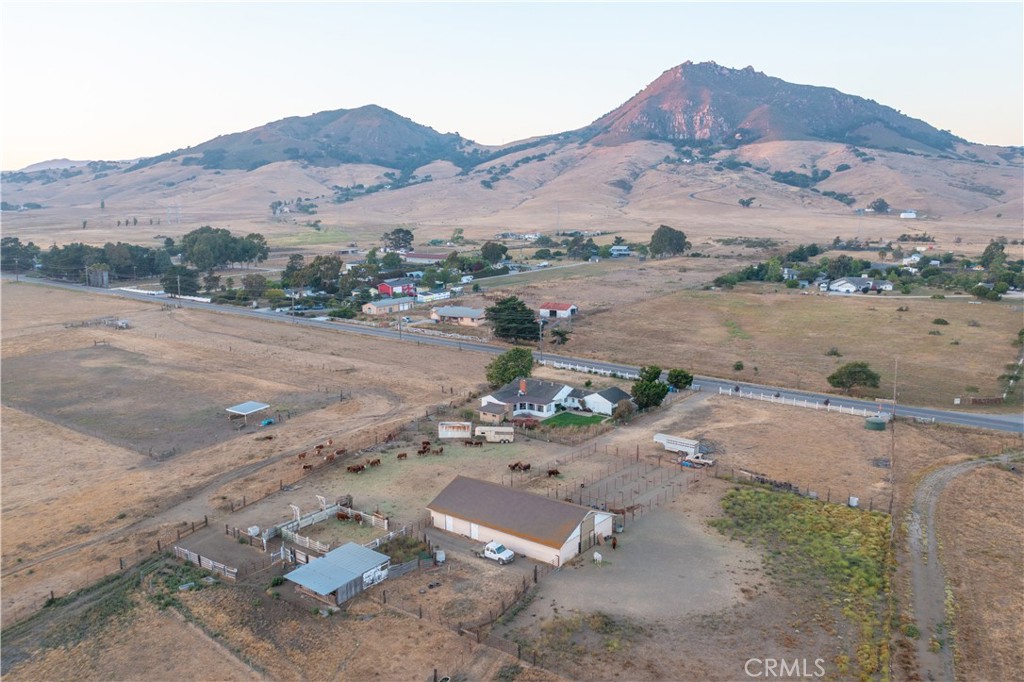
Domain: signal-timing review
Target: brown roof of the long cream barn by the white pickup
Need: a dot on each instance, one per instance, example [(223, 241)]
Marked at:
[(517, 513)]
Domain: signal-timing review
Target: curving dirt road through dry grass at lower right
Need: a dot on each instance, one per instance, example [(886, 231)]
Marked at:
[(935, 654)]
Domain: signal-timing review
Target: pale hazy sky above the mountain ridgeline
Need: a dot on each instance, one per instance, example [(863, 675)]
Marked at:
[(117, 81)]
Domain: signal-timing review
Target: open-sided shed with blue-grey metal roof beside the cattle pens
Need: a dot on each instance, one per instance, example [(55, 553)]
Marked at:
[(342, 574)]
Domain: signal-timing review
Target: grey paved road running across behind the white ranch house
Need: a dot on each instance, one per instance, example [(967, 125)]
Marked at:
[(1012, 423)]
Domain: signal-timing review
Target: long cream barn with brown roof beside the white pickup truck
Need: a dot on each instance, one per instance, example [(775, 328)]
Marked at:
[(530, 525)]
